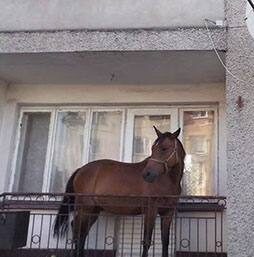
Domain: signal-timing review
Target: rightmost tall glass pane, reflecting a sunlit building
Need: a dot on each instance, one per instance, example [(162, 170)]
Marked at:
[(198, 141)]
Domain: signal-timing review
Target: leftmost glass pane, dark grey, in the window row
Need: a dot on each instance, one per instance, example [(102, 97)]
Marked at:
[(32, 152)]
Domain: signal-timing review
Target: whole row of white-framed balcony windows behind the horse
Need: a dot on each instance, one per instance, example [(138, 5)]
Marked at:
[(54, 142)]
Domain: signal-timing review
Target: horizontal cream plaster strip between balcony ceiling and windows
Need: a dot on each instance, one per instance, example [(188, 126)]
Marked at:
[(110, 94)]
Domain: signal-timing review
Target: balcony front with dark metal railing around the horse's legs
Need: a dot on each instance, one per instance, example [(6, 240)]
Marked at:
[(197, 228)]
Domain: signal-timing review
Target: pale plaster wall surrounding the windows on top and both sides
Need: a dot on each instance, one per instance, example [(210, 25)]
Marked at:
[(110, 95)]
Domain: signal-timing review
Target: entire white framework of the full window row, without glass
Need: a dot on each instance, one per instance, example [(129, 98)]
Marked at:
[(176, 112)]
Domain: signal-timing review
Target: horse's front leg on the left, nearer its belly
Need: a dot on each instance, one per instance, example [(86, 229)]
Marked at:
[(150, 218)]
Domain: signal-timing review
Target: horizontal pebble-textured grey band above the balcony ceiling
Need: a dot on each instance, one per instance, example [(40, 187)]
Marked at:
[(118, 40)]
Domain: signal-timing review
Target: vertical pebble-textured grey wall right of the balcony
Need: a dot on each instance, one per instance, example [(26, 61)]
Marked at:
[(240, 133)]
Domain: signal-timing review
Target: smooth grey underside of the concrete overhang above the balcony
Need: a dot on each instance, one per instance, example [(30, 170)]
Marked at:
[(133, 67)]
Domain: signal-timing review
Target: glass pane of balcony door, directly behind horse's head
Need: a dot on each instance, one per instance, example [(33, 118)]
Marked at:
[(144, 134)]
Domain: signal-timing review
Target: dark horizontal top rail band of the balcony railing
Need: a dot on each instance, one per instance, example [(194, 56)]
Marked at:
[(49, 201)]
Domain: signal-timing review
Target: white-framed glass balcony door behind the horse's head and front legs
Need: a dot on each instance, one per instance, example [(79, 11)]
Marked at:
[(140, 136)]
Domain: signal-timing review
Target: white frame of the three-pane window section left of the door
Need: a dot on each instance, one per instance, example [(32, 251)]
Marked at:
[(47, 173)]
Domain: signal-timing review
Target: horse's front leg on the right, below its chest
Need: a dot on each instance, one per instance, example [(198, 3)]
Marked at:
[(166, 219)]
